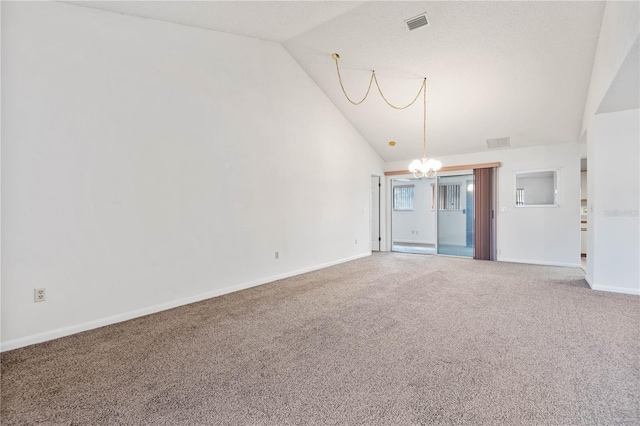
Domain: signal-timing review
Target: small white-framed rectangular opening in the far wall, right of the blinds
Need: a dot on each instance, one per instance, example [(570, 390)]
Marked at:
[(536, 188)]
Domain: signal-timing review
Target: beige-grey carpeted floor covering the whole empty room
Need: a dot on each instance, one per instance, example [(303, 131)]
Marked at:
[(391, 339)]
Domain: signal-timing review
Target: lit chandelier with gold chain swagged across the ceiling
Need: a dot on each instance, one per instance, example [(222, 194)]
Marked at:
[(426, 167)]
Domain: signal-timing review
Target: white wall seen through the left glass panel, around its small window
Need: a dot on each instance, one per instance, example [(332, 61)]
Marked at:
[(418, 225)]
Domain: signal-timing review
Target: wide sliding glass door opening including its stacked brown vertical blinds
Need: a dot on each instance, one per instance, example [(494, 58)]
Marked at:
[(458, 210)]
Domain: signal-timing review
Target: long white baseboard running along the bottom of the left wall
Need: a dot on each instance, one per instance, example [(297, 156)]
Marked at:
[(125, 316)]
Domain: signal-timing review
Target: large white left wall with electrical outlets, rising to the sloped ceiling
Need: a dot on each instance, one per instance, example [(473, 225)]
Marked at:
[(147, 165)]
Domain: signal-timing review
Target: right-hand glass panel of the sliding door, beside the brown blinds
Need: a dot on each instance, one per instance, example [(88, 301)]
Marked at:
[(455, 204)]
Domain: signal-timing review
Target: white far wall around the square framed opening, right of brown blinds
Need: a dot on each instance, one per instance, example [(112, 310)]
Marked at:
[(541, 235)]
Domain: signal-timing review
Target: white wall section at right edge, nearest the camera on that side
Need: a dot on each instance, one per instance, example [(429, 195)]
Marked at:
[(613, 249)]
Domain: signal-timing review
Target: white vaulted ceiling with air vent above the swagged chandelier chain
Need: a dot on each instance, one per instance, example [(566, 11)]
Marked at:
[(494, 69)]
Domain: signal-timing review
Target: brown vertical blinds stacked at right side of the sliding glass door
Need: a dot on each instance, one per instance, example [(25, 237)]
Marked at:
[(484, 213)]
